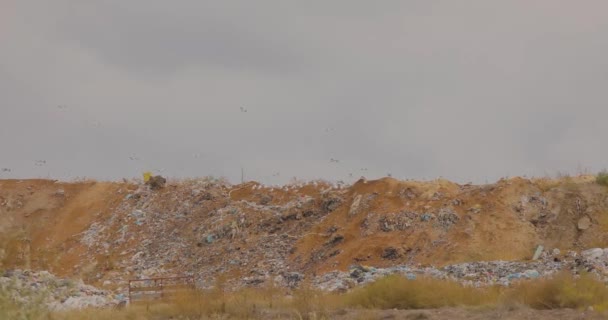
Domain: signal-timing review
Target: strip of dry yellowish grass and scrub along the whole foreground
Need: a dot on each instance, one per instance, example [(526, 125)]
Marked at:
[(393, 292)]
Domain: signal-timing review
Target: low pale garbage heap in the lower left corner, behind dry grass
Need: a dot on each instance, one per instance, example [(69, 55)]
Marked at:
[(41, 287)]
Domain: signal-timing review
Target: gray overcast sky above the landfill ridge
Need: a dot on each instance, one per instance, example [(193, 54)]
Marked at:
[(466, 90)]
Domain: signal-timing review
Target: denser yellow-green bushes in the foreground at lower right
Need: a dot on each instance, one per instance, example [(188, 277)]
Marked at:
[(561, 291)]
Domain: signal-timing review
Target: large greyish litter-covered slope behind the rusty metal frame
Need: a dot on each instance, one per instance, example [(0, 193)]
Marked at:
[(202, 228)]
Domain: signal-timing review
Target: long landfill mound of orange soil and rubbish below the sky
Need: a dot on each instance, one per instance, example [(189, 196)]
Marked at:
[(108, 232)]
